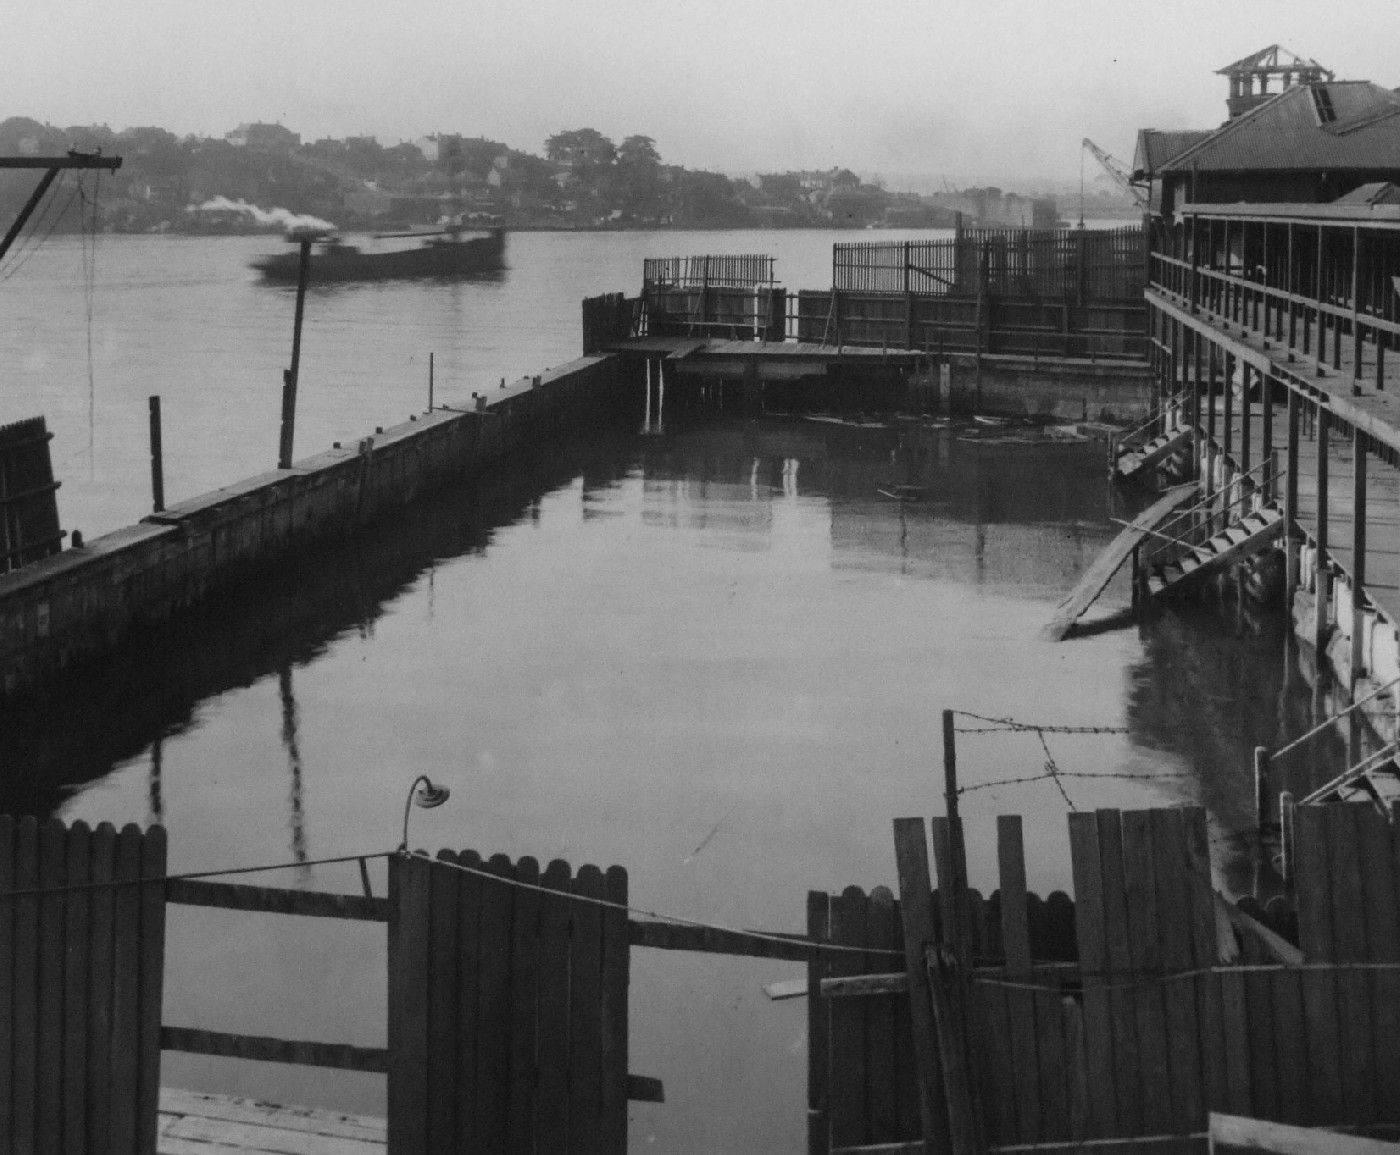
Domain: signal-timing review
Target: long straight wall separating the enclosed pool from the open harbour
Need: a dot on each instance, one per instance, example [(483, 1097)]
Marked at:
[(85, 601)]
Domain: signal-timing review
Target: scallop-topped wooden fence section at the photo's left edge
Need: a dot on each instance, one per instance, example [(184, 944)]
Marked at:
[(82, 962)]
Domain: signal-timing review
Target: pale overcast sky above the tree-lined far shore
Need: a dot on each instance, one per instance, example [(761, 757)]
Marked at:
[(990, 92)]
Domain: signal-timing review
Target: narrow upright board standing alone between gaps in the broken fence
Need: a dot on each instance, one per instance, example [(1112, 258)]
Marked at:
[(1021, 1004)]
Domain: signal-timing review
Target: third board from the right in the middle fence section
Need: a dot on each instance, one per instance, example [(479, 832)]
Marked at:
[(552, 1093)]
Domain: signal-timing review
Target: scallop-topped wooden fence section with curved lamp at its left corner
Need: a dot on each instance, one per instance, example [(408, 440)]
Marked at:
[(516, 985)]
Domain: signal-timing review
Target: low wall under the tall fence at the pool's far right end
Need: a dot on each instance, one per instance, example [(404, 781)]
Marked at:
[(1070, 391)]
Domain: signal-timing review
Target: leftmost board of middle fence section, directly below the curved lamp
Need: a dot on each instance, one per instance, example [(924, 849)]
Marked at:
[(409, 927)]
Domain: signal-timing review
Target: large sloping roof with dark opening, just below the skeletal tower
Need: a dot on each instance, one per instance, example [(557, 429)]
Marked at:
[(1328, 125)]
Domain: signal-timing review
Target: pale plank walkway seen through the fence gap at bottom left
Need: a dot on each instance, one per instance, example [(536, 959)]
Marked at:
[(216, 1125)]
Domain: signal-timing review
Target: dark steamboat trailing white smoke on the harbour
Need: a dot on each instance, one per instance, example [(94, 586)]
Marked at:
[(443, 254)]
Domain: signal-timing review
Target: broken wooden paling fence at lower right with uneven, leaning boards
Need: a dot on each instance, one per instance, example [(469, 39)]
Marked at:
[(1172, 1003)]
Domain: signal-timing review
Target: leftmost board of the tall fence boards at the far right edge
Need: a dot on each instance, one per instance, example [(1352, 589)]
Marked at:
[(1324, 1044)]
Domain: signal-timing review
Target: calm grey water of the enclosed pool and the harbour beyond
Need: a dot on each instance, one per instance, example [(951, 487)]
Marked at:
[(716, 657)]
